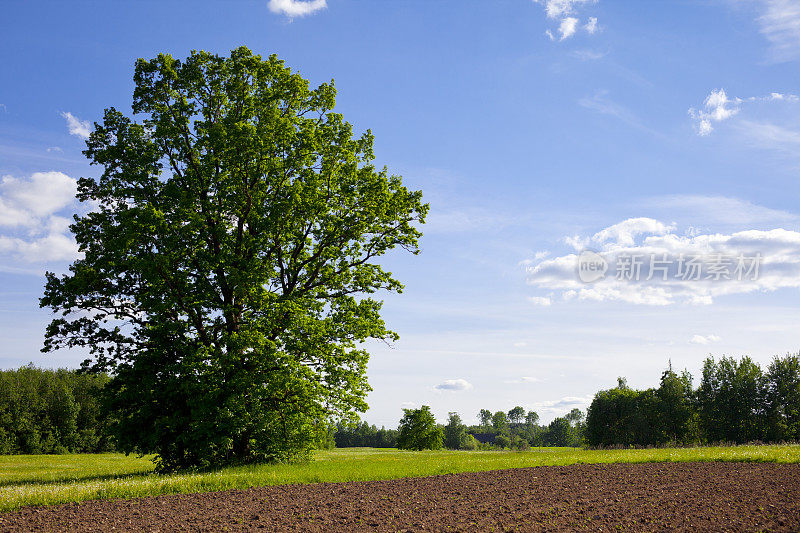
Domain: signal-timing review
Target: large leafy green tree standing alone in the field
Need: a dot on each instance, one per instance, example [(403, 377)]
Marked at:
[(228, 262)]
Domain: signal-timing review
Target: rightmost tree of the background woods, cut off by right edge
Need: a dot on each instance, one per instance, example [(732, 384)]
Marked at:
[(783, 398)]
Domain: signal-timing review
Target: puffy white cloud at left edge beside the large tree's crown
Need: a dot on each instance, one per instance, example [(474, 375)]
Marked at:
[(34, 231)]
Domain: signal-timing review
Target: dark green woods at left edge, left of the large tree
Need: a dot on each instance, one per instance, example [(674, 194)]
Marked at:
[(51, 411)]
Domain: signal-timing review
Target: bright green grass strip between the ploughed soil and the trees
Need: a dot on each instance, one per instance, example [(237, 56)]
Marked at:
[(52, 479)]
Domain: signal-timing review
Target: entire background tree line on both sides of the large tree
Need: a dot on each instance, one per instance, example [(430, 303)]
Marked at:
[(61, 411)]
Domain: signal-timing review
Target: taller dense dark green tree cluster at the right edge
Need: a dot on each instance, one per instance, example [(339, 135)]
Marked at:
[(736, 401)]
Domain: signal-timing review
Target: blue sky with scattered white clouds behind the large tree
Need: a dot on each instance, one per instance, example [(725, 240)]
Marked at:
[(535, 130)]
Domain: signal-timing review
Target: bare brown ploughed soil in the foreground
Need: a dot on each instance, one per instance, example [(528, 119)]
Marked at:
[(641, 497)]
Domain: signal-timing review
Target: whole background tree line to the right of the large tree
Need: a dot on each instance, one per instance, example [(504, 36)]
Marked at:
[(735, 402)]
